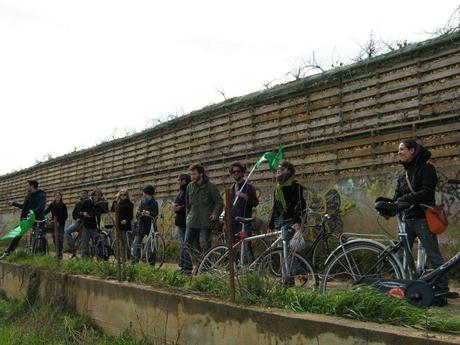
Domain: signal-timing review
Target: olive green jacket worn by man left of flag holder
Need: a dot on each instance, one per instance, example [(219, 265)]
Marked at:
[(201, 201)]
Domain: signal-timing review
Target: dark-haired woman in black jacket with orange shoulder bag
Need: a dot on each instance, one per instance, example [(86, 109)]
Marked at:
[(416, 185)]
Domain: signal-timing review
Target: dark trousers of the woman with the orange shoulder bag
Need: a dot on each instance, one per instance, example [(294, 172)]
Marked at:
[(419, 228)]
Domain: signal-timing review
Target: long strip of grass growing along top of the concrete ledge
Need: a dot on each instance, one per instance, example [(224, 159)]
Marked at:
[(363, 304)]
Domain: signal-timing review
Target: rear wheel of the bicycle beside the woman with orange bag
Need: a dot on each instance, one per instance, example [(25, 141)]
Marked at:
[(359, 263)]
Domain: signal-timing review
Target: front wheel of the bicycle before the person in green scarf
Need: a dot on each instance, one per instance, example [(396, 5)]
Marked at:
[(296, 271)]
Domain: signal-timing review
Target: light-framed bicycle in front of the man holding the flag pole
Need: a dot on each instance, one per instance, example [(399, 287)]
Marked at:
[(278, 261)]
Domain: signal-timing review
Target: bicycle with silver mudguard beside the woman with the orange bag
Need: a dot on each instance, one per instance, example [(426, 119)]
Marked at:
[(371, 263)]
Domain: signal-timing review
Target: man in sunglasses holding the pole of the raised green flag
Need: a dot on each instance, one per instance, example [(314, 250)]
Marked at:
[(246, 199)]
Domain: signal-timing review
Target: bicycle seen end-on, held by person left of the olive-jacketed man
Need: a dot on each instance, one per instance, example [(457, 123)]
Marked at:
[(153, 248)]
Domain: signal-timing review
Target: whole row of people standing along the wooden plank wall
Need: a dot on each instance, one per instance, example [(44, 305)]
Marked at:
[(199, 205)]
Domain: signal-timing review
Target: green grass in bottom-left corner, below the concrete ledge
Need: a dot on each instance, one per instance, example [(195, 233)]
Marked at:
[(21, 324)]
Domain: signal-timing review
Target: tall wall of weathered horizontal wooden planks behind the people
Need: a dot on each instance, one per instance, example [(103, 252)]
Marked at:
[(343, 126)]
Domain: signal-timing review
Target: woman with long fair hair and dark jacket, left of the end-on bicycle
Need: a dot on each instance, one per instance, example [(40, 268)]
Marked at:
[(125, 218)]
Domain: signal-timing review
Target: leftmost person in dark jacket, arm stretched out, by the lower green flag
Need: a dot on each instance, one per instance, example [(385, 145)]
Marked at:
[(35, 200)]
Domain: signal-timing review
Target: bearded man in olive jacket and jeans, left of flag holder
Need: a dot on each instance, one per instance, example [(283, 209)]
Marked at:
[(204, 205)]
